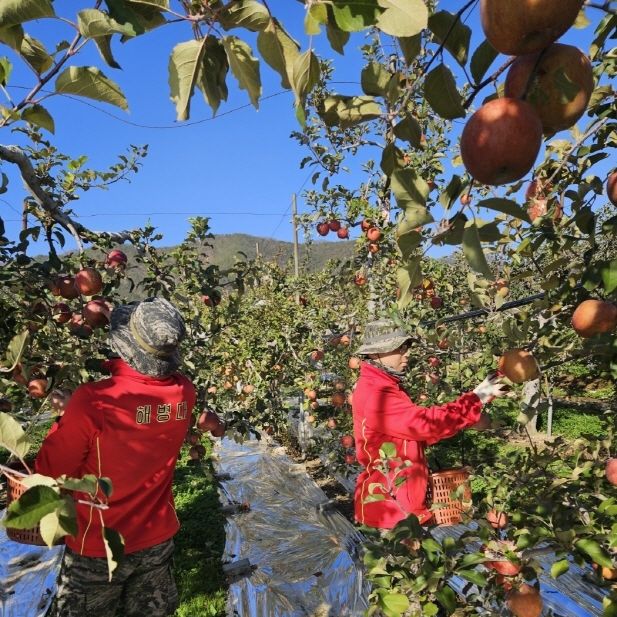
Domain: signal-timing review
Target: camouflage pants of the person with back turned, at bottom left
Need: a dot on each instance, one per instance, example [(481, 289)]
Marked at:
[(142, 585)]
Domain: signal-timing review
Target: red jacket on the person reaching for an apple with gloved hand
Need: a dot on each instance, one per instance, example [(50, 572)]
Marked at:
[(383, 412)]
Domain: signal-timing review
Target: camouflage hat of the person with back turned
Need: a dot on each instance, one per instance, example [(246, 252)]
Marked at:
[(146, 335)]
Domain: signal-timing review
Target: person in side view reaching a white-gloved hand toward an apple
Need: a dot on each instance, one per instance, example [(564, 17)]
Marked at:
[(384, 412)]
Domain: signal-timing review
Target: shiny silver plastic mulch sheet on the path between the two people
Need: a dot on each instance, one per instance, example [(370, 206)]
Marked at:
[(302, 554)]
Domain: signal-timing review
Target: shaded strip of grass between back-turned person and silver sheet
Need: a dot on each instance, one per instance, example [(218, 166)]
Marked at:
[(200, 541)]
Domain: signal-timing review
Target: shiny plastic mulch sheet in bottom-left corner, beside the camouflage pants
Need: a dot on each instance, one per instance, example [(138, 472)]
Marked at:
[(27, 577)]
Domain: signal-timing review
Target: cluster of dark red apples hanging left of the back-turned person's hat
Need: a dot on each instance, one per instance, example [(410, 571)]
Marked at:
[(87, 282)]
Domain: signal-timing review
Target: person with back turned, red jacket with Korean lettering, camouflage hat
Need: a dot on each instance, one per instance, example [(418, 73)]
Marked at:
[(130, 428)]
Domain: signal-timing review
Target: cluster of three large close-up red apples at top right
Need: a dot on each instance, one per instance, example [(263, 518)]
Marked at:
[(501, 141)]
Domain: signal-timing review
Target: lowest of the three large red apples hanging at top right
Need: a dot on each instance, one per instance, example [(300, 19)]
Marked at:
[(501, 141)]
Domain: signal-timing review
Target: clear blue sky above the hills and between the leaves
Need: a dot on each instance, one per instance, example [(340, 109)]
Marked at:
[(240, 168)]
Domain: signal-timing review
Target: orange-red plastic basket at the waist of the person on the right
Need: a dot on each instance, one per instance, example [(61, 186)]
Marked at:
[(441, 485)]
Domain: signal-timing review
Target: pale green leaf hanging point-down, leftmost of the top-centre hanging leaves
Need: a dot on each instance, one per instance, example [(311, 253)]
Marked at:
[(184, 67)]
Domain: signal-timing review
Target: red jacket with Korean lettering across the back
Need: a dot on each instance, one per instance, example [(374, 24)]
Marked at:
[(130, 428)]
